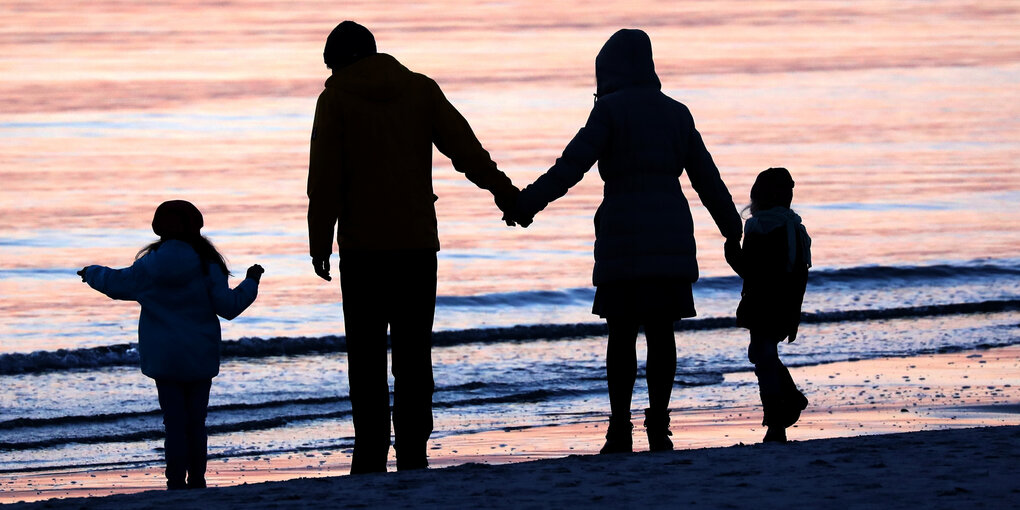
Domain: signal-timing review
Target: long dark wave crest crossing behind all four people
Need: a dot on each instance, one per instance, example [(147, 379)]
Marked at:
[(127, 354)]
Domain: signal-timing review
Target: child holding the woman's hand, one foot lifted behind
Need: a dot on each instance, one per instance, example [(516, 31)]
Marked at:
[(774, 264)]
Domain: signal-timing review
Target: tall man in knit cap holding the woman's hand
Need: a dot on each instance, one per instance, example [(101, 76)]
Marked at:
[(370, 176)]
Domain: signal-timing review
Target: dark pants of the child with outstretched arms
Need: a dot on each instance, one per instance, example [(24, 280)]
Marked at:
[(185, 406)]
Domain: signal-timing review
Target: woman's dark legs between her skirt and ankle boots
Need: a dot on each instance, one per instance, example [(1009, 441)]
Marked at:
[(622, 364)]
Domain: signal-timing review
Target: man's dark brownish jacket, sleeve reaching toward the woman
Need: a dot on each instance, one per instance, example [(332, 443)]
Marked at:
[(371, 168)]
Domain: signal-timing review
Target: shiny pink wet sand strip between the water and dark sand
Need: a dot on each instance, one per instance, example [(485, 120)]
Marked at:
[(851, 399)]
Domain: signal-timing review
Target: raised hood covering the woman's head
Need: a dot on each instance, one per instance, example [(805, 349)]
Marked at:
[(626, 61)]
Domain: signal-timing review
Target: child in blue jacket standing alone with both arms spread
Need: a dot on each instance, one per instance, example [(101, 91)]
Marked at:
[(181, 283)]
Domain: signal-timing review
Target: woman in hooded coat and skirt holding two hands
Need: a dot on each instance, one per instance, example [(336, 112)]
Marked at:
[(645, 256)]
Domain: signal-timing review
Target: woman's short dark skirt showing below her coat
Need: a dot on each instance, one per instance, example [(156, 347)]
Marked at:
[(646, 299)]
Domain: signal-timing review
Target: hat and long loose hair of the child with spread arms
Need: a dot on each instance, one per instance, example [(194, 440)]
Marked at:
[(180, 220)]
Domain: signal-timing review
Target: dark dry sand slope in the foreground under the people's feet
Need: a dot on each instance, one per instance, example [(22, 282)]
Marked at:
[(961, 469)]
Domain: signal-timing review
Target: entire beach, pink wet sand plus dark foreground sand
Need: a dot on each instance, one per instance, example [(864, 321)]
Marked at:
[(842, 445)]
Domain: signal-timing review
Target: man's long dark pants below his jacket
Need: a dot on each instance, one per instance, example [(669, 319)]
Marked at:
[(395, 289)]
